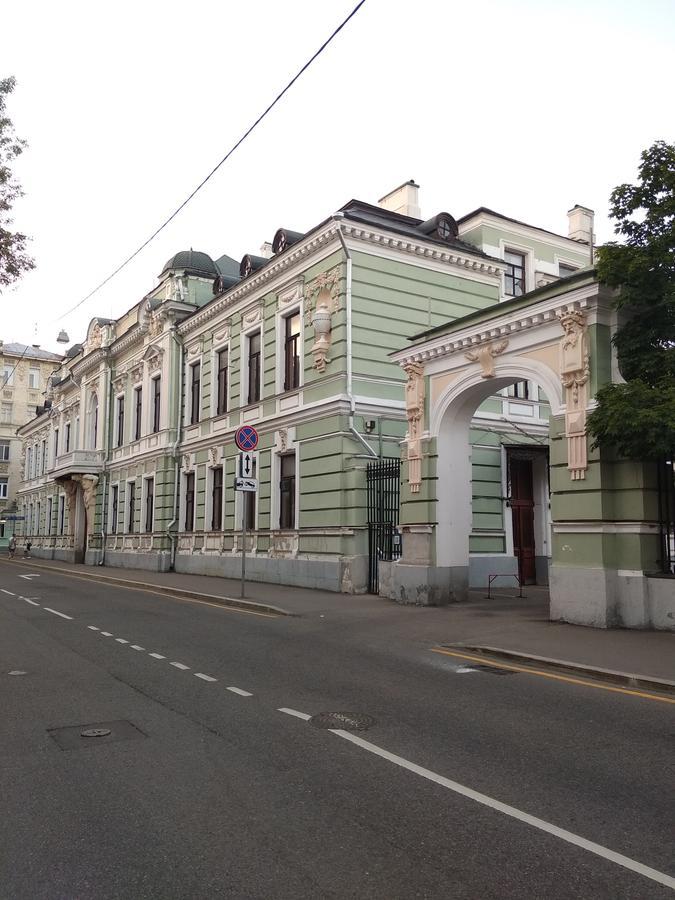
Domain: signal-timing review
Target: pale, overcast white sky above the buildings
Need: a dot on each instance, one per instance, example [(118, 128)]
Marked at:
[(524, 106)]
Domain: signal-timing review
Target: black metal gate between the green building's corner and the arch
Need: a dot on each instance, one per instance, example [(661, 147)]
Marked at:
[(384, 496)]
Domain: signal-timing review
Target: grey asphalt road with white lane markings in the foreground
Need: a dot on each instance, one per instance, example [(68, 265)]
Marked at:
[(469, 784)]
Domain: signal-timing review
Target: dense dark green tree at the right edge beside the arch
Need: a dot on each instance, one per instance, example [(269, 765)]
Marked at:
[(638, 418)]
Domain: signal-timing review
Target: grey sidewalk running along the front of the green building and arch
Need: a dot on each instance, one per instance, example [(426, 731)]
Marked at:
[(505, 622)]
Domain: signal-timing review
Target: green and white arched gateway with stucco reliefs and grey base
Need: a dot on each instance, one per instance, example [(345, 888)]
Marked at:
[(603, 510)]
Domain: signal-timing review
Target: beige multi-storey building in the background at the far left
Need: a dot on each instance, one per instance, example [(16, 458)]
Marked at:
[(24, 373)]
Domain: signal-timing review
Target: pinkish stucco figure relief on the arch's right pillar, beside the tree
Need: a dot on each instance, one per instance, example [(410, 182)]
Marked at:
[(574, 373)]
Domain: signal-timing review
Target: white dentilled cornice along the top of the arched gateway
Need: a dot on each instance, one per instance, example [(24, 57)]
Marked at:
[(499, 326)]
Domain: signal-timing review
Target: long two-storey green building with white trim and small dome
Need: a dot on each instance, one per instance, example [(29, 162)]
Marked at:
[(306, 342)]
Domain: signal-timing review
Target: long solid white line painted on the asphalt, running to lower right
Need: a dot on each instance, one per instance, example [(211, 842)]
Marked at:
[(598, 849)]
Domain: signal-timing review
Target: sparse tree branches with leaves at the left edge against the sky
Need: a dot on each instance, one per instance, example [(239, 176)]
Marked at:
[(14, 260)]
